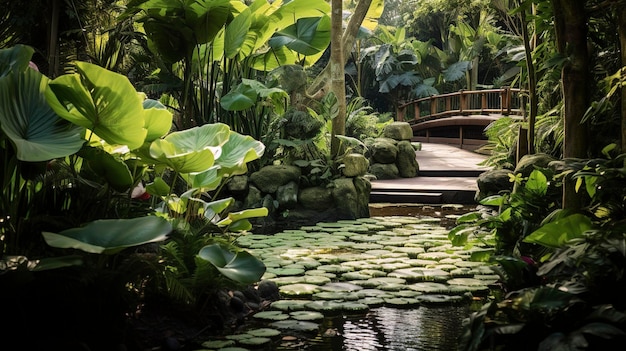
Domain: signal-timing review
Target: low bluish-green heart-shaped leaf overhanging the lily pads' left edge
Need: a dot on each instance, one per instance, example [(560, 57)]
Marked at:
[(240, 267)]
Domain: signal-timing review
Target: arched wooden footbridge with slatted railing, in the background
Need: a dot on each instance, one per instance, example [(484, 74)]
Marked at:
[(460, 118)]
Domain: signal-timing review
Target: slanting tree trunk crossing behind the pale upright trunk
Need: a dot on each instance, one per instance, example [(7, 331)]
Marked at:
[(320, 83)]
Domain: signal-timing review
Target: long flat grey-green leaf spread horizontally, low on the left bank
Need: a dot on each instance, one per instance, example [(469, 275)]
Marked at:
[(109, 236)]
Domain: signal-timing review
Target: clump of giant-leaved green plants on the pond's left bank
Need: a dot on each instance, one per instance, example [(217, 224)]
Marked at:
[(77, 152)]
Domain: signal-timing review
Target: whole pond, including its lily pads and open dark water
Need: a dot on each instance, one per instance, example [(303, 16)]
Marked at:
[(391, 282)]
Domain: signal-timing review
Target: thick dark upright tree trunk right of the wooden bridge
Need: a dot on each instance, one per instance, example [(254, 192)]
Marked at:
[(571, 33)]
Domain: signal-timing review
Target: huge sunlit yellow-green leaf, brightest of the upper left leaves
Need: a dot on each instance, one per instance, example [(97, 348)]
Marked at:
[(102, 101)]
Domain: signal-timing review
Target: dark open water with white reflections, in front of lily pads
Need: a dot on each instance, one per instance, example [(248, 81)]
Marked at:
[(391, 329)]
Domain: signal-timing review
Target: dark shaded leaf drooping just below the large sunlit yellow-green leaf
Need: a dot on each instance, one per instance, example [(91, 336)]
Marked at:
[(115, 171)]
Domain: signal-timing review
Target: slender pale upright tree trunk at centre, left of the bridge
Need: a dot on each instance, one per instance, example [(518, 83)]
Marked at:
[(337, 75)]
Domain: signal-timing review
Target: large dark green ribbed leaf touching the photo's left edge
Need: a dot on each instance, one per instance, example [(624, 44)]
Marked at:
[(27, 119)]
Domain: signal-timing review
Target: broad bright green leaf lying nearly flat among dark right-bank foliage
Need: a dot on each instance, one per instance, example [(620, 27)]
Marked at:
[(558, 233)]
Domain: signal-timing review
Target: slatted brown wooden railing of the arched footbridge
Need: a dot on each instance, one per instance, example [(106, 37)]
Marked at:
[(506, 101)]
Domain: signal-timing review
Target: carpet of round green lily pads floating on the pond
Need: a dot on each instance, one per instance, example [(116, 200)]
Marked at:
[(352, 266)]
